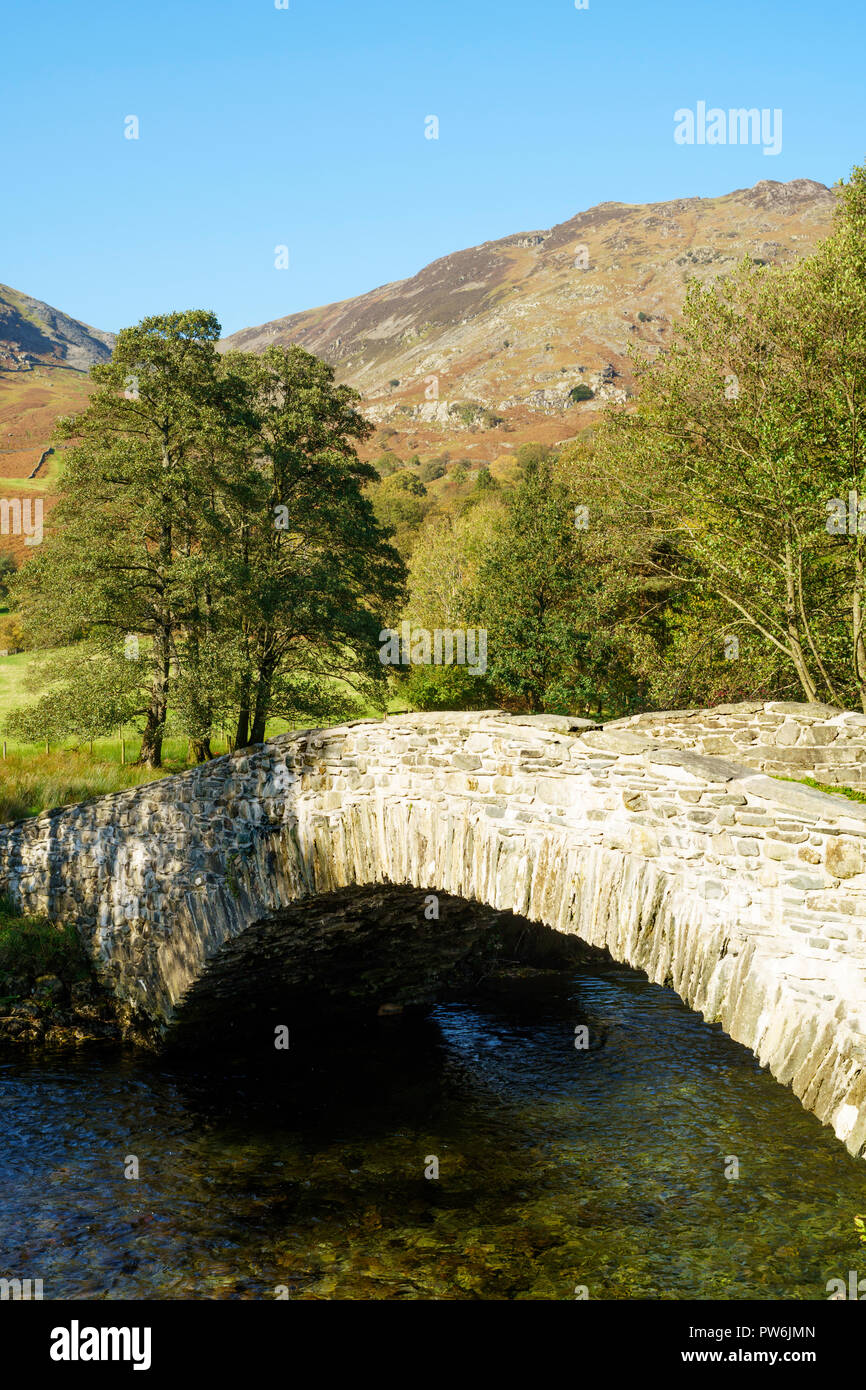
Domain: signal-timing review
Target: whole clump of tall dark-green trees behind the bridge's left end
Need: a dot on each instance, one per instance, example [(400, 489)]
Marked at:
[(215, 507)]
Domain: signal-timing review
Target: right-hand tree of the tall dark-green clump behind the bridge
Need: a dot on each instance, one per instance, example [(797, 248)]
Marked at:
[(304, 565)]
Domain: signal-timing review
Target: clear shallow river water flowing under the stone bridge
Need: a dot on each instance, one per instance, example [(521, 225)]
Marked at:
[(557, 1167)]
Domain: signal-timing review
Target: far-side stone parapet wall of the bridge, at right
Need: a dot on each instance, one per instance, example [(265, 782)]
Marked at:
[(781, 739)]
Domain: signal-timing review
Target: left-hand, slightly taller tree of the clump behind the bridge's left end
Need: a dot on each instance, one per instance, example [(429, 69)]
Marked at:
[(120, 557)]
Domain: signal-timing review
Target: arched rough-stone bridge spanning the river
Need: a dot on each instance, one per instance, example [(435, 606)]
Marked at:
[(744, 893)]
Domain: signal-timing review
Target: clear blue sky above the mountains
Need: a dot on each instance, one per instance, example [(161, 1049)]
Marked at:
[(305, 127)]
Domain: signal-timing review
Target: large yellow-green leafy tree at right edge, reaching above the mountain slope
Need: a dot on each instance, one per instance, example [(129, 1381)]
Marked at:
[(746, 433)]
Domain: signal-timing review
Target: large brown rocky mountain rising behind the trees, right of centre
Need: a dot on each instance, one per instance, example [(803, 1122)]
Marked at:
[(509, 329)]
